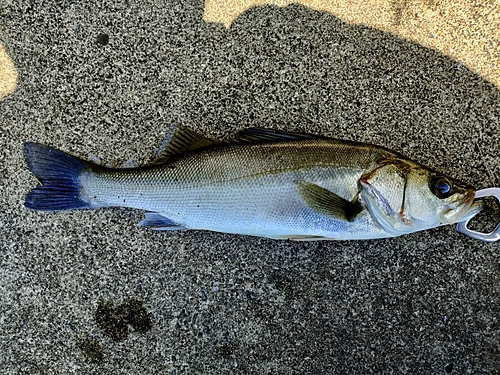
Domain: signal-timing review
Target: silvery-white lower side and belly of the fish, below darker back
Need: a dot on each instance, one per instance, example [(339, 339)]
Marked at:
[(266, 205)]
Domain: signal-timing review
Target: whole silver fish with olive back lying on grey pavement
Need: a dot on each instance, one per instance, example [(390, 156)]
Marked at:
[(262, 182)]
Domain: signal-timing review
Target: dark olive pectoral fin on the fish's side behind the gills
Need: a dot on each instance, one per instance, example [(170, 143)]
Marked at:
[(326, 202)]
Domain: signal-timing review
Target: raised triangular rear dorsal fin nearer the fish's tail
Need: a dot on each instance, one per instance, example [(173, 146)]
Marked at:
[(180, 140)]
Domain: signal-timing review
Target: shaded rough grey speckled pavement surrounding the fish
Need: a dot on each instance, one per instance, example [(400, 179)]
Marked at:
[(89, 292)]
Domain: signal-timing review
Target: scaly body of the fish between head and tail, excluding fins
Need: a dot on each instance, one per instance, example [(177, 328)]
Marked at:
[(243, 189)]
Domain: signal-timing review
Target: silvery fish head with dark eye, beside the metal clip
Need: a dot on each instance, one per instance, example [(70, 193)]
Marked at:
[(404, 197)]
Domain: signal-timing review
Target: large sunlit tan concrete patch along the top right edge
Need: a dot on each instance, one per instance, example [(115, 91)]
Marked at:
[(466, 31)]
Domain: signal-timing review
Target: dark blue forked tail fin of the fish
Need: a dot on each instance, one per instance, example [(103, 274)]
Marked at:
[(59, 174)]
